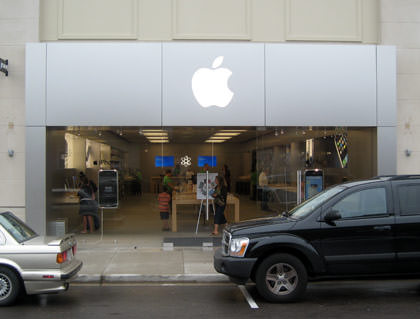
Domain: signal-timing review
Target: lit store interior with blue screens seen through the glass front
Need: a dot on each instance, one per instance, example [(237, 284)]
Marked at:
[(142, 155)]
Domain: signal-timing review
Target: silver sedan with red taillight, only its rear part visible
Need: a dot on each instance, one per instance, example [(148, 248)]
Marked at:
[(31, 263)]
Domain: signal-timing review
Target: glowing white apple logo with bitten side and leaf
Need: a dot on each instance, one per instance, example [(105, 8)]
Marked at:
[(210, 86)]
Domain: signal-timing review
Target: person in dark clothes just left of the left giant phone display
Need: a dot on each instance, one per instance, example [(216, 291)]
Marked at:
[(88, 206)]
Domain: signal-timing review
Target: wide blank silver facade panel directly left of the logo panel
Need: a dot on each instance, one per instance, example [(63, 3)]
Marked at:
[(103, 84)]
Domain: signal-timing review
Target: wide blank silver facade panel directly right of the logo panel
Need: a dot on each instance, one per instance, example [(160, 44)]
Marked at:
[(320, 85)]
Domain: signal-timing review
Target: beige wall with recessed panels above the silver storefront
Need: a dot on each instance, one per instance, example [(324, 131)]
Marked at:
[(255, 20)]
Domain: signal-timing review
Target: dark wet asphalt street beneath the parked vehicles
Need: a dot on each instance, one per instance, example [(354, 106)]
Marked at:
[(344, 299)]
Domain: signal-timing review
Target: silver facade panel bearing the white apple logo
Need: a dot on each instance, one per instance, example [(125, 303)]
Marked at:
[(208, 83)]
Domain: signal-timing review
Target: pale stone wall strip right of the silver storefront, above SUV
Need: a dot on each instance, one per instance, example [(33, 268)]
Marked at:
[(400, 26)]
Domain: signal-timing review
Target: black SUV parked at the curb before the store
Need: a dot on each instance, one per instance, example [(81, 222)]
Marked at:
[(369, 227)]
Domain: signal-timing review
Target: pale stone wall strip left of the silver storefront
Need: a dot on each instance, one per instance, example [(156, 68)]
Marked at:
[(18, 25)]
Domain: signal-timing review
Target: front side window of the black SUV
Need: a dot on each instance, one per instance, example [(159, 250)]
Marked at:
[(363, 203)]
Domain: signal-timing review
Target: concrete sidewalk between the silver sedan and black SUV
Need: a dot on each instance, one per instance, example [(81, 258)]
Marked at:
[(143, 259)]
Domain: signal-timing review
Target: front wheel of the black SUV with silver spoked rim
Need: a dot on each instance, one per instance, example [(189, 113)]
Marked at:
[(281, 278)]
